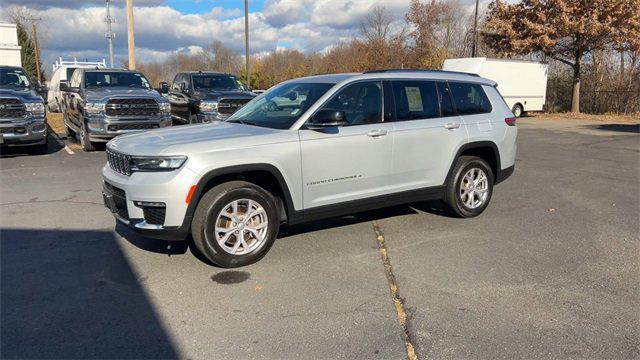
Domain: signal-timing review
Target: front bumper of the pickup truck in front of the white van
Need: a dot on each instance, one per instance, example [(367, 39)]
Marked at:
[(104, 128)]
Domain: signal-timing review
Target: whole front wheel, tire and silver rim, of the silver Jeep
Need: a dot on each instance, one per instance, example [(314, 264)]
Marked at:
[(235, 224)]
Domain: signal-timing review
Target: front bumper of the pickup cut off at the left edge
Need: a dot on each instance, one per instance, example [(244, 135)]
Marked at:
[(23, 131)]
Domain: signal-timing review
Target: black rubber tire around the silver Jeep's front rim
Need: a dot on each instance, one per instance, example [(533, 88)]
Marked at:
[(213, 203)]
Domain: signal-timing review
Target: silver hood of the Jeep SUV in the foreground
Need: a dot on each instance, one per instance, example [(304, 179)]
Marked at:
[(185, 140)]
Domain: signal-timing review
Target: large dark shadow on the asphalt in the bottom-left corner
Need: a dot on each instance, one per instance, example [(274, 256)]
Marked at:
[(73, 294)]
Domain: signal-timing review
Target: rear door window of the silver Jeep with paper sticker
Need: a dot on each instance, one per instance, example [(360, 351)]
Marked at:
[(415, 100)]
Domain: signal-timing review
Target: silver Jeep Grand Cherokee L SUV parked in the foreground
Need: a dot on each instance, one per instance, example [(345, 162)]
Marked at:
[(311, 148)]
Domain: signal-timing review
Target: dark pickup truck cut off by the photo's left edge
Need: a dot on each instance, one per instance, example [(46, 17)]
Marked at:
[(22, 116)]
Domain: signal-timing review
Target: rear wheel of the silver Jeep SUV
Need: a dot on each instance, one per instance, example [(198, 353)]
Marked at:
[(470, 187)]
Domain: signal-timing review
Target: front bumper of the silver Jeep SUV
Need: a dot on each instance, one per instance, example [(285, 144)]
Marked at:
[(121, 193)]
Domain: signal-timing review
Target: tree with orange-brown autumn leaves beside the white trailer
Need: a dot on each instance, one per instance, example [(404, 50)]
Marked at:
[(564, 30)]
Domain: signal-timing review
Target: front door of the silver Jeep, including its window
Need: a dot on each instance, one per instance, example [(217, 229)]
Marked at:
[(348, 162)]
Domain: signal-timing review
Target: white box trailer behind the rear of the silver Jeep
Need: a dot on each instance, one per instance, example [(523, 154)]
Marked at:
[(523, 84)]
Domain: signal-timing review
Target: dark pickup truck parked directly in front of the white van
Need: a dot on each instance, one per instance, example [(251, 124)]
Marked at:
[(100, 104)]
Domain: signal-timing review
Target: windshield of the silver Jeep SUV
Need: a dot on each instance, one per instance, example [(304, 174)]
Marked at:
[(282, 106)]
